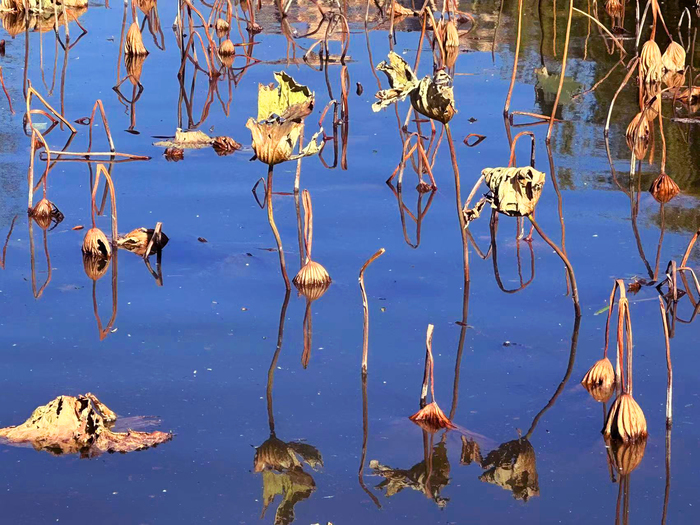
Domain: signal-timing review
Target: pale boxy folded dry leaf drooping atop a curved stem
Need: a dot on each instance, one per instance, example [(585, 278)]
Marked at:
[(516, 191)]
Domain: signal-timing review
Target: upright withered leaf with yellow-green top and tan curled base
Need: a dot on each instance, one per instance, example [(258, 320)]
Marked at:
[(281, 114)]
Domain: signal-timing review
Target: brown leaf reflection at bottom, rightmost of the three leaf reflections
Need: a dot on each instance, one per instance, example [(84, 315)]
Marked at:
[(512, 466)]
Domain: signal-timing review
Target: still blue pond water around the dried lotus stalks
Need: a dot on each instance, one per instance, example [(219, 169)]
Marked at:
[(217, 352)]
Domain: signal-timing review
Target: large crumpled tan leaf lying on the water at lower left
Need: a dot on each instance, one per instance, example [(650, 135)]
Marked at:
[(78, 425)]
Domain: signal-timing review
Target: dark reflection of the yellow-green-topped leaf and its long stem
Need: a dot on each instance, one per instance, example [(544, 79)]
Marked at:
[(280, 462)]
